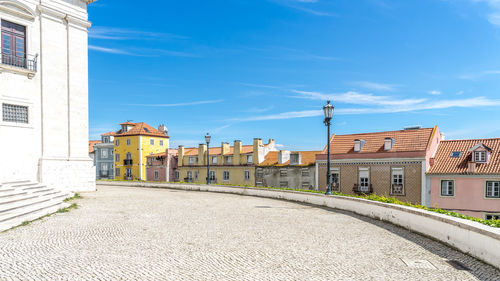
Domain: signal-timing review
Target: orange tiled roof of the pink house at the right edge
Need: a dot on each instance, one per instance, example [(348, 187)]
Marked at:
[(445, 164)]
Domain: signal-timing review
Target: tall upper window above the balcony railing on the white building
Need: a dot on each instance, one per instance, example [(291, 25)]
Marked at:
[(13, 44)]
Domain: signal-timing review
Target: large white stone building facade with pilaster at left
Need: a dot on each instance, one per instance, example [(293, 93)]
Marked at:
[(44, 93)]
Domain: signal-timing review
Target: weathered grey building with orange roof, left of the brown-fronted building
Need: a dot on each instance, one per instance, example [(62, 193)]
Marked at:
[(287, 169)]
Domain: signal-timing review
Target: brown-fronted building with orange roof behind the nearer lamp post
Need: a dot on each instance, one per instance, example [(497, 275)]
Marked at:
[(385, 163)]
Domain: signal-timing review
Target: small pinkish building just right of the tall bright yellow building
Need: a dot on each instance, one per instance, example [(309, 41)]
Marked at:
[(162, 166)]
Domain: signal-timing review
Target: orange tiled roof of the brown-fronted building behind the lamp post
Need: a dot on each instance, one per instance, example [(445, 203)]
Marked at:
[(405, 141)]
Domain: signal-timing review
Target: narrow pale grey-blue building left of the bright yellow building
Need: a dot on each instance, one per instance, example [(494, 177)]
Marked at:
[(104, 157)]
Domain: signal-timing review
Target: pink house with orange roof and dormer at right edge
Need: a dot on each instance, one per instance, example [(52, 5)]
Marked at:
[(465, 177)]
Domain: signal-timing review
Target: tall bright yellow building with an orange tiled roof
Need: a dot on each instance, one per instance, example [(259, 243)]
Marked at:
[(133, 143)]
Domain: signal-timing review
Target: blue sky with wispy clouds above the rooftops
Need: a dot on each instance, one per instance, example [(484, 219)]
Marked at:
[(241, 69)]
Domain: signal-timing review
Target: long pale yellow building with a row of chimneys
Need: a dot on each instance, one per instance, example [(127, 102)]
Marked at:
[(233, 165)]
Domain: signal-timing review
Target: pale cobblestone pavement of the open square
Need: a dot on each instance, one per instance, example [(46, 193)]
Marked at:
[(122, 233)]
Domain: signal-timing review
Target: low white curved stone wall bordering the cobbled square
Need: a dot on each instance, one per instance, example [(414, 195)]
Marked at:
[(478, 240)]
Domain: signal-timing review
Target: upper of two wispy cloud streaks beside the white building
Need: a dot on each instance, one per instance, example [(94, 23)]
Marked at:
[(113, 33)]
